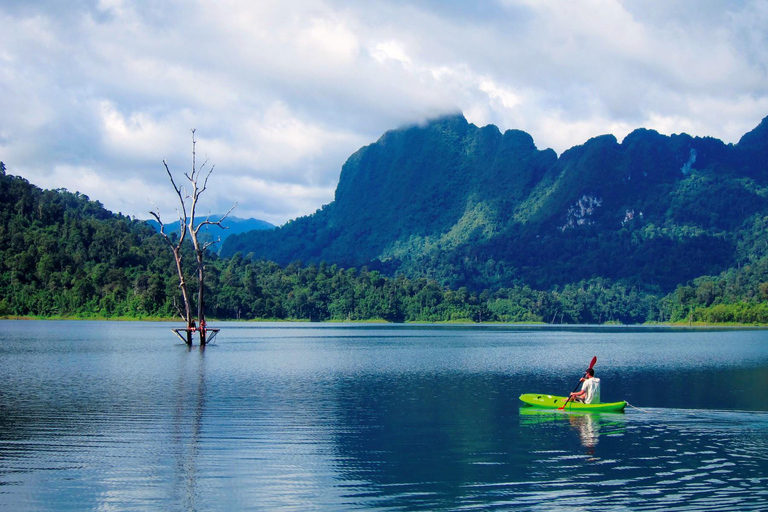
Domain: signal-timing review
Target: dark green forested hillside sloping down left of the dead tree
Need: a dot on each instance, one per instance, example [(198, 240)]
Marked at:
[(61, 253)]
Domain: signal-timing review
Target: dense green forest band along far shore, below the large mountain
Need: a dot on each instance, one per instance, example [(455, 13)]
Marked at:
[(64, 255)]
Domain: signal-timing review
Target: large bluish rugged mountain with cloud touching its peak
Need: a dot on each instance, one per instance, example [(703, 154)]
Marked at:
[(475, 207)]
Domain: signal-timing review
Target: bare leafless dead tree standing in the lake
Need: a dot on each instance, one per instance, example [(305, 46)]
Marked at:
[(187, 223)]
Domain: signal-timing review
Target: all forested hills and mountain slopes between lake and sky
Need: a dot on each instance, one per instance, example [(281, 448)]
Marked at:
[(684, 241)]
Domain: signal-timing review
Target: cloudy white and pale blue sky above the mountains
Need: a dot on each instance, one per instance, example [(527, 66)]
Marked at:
[(95, 94)]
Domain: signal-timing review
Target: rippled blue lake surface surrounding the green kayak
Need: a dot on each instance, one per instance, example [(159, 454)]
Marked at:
[(281, 416)]
